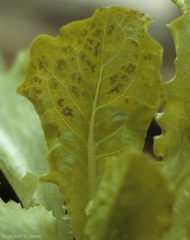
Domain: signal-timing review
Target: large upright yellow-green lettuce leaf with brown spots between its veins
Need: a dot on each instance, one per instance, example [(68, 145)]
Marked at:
[(96, 88)]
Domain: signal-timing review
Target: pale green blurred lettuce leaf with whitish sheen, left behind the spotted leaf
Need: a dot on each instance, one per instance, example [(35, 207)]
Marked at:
[(19, 149)]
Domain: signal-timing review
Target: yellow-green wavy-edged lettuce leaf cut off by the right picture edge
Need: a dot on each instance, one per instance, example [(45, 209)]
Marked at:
[(174, 143)]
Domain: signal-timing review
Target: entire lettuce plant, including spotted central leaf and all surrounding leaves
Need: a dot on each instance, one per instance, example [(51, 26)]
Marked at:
[(96, 88)]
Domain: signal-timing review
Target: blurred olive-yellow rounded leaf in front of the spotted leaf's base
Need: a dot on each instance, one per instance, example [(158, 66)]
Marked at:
[(133, 201)]
